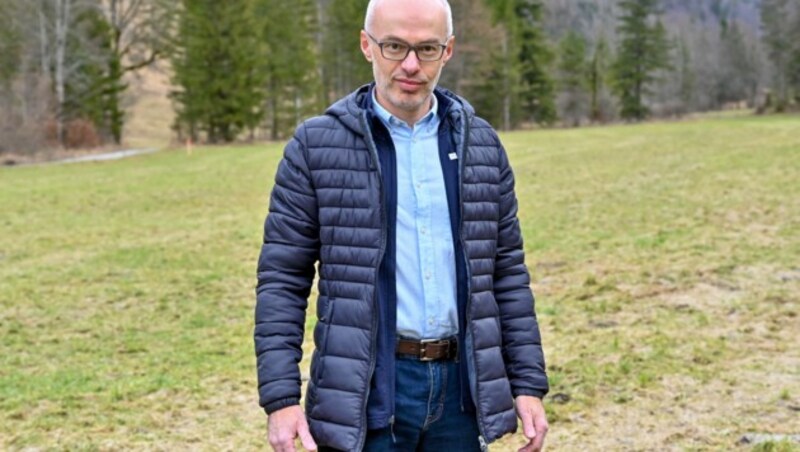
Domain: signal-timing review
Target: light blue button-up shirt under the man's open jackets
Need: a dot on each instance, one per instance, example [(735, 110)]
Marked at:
[(425, 259)]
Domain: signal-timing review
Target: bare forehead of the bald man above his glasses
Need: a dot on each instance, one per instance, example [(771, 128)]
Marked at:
[(411, 20)]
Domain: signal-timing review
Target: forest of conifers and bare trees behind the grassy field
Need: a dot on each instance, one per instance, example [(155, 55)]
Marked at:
[(253, 69)]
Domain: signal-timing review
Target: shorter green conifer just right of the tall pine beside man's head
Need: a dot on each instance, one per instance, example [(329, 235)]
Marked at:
[(573, 78)]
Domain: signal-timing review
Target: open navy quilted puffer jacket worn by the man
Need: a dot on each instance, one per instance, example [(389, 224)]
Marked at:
[(327, 206)]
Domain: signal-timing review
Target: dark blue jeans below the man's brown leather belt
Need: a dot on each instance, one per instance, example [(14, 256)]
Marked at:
[(428, 414)]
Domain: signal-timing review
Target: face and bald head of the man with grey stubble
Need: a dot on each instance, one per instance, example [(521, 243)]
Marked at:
[(404, 87)]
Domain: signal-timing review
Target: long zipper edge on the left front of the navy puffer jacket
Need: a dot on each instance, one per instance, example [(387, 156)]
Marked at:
[(374, 334)]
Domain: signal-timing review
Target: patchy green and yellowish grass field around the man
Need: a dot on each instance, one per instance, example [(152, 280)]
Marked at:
[(665, 258)]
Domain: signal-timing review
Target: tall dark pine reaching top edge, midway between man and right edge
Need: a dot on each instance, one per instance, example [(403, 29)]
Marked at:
[(643, 51)]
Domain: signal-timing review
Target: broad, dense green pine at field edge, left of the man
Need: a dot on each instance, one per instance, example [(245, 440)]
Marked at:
[(217, 65)]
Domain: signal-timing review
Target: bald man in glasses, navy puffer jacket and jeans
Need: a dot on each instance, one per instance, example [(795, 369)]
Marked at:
[(426, 336)]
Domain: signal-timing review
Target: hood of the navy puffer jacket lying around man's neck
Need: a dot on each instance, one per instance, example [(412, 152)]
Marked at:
[(350, 109)]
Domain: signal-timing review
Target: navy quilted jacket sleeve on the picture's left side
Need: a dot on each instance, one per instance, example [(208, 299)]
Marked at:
[(285, 275)]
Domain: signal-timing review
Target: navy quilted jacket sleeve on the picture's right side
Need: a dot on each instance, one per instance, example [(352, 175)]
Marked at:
[(522, 344)]
